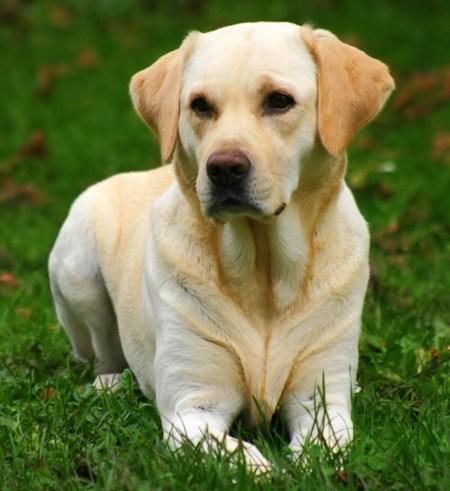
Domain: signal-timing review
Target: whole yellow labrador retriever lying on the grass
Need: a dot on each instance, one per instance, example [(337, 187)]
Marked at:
[(232, 280)]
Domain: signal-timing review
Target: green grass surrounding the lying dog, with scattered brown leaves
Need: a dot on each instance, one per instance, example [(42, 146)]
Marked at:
[(65, 68)]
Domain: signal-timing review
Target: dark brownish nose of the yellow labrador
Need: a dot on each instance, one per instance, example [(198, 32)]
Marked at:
[(227, 168)]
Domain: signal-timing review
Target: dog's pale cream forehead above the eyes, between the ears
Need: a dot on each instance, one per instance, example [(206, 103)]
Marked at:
[(230, 54)]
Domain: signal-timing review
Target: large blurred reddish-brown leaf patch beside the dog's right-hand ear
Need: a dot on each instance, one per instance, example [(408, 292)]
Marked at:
[(422, 92)]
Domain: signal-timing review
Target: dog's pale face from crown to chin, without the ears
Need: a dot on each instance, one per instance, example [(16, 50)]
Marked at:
[(247, 117)]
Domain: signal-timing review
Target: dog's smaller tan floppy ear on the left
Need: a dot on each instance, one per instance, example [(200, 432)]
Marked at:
[(155, 92)]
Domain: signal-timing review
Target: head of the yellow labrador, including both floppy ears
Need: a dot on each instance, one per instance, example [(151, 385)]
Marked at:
[(243, 107)]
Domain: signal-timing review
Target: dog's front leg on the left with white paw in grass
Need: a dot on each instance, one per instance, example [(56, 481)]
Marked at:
[(199, 393)]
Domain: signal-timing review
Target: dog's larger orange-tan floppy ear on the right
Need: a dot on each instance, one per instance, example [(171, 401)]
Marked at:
[(352, 88)]
